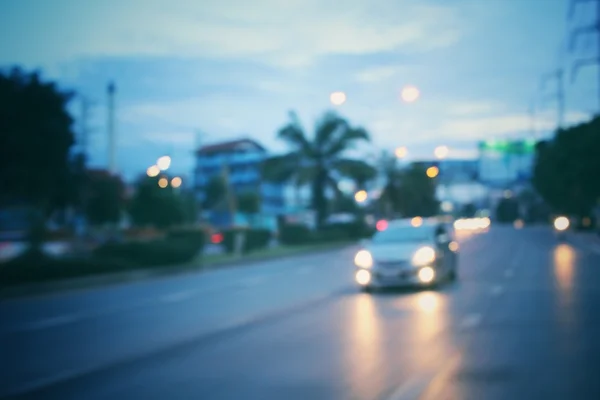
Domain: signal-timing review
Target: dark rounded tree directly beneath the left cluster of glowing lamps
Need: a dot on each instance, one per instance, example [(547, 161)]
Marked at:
[(156, 206)]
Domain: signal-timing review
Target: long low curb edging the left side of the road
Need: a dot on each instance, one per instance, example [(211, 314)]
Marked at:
[(92, 282)]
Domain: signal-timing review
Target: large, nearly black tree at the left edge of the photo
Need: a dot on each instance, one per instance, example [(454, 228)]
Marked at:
[(35, 140)]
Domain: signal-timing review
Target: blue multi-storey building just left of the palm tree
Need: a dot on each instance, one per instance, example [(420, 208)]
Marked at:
[(242, 160)]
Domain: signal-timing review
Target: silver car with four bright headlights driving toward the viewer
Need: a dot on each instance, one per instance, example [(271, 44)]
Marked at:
[(417, 251)]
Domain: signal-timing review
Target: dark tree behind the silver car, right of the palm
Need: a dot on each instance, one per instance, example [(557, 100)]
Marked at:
[(416, 193)]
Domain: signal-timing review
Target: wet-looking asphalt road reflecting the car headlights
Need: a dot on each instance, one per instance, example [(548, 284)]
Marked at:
[(522, 322)]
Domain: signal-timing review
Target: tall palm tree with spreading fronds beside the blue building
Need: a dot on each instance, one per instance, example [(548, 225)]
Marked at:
[(319, 161)]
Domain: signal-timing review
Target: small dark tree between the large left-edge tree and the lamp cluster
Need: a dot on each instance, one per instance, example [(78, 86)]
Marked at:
[(105, 198)]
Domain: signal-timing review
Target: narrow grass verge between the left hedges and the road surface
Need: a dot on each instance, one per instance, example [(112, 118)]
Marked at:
[(203, 263)]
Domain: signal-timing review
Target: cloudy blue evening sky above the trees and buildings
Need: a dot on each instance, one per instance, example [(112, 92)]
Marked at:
[(191, 72)]
